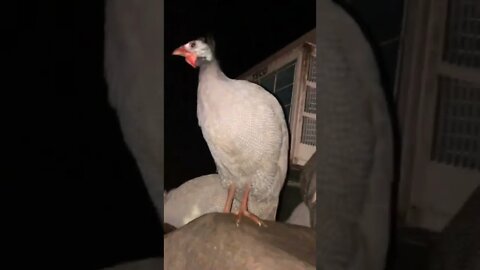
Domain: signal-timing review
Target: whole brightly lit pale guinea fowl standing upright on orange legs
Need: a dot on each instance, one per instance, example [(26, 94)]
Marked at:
[(245, 129)]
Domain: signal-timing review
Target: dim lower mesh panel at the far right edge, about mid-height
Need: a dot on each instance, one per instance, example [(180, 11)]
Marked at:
[(457, 127)]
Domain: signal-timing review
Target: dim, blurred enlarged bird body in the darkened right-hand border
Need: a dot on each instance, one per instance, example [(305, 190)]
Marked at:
[(355, 160)]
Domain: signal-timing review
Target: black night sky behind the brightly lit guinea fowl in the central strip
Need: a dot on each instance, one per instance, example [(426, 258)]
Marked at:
[(246, 32)]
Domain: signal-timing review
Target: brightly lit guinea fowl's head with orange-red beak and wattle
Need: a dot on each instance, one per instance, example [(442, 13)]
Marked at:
[(196, 52)]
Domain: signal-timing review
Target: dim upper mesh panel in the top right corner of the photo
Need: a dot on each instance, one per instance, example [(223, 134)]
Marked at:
[(462, 39)]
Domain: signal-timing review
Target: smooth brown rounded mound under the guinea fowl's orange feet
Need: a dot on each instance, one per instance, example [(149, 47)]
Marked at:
[(213, 241)]
